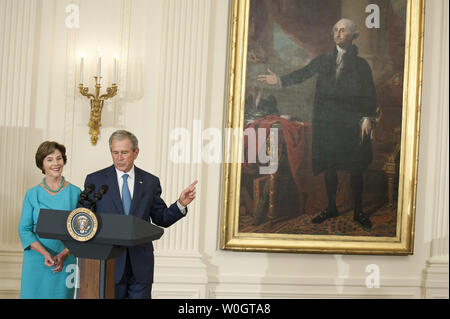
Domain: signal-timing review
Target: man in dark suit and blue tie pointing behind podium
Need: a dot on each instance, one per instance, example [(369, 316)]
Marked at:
[(132, 191)]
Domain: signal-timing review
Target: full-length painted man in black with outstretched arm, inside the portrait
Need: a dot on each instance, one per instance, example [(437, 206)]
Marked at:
[(344, 108)]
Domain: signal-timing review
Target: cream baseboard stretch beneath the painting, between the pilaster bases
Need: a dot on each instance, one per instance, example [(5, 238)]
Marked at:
[(284, 287)]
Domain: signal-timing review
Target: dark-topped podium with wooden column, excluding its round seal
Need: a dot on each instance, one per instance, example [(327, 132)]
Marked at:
[(114, 234)]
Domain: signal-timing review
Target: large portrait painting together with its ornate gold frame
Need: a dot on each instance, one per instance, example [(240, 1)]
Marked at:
[(322, 126)]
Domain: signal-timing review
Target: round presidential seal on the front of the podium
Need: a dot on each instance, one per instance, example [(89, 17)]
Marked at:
[(82, 224)]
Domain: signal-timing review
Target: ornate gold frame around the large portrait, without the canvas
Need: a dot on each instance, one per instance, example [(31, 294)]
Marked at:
[(402, 244)]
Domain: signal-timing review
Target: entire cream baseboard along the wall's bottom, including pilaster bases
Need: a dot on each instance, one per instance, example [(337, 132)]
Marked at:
[(186, 277)]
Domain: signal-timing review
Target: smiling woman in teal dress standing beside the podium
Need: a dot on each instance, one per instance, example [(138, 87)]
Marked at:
[(48, 267)]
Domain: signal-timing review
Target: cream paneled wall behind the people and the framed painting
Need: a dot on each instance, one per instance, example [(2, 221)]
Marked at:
[(173, 62)]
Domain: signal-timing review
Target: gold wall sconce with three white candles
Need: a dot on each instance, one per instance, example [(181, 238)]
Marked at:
[(96, 99)]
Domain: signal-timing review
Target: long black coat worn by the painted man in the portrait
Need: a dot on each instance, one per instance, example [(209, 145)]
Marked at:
[(339, 106)]
